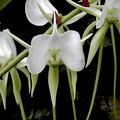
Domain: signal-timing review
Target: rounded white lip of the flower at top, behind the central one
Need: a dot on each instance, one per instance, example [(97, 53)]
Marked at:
[(34, 14)]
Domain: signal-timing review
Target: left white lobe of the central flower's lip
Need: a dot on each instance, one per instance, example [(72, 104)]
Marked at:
[(38, 54)]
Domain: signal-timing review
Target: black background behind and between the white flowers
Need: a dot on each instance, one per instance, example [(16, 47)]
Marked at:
[(13, 17)]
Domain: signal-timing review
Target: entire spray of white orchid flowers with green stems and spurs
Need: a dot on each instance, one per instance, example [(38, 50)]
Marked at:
[(57, 46)]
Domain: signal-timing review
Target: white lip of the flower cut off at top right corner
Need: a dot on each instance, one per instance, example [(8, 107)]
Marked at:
[(110, 10)]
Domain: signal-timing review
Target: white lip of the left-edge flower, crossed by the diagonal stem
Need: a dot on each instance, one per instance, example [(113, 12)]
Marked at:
[(8, 49)]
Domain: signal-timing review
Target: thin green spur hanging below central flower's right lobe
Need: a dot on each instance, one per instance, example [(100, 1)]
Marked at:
[(72, 95)]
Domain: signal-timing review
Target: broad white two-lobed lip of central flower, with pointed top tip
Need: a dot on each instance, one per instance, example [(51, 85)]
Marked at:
[(54, 49)]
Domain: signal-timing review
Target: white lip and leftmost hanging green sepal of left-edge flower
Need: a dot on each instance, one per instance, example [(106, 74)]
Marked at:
[(7, 51)]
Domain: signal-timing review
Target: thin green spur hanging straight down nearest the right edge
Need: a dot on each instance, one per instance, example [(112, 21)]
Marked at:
[(115, 69)]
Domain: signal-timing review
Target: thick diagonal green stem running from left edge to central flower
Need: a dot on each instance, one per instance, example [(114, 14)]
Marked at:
[(14, 62)]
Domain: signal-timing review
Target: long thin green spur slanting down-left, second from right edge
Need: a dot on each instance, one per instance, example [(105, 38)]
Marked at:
[(96, 80)]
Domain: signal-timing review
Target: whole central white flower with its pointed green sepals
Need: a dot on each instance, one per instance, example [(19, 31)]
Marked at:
[(54, 50)]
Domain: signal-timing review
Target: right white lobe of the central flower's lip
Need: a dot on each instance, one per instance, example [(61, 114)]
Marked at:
[(71, 52)]
